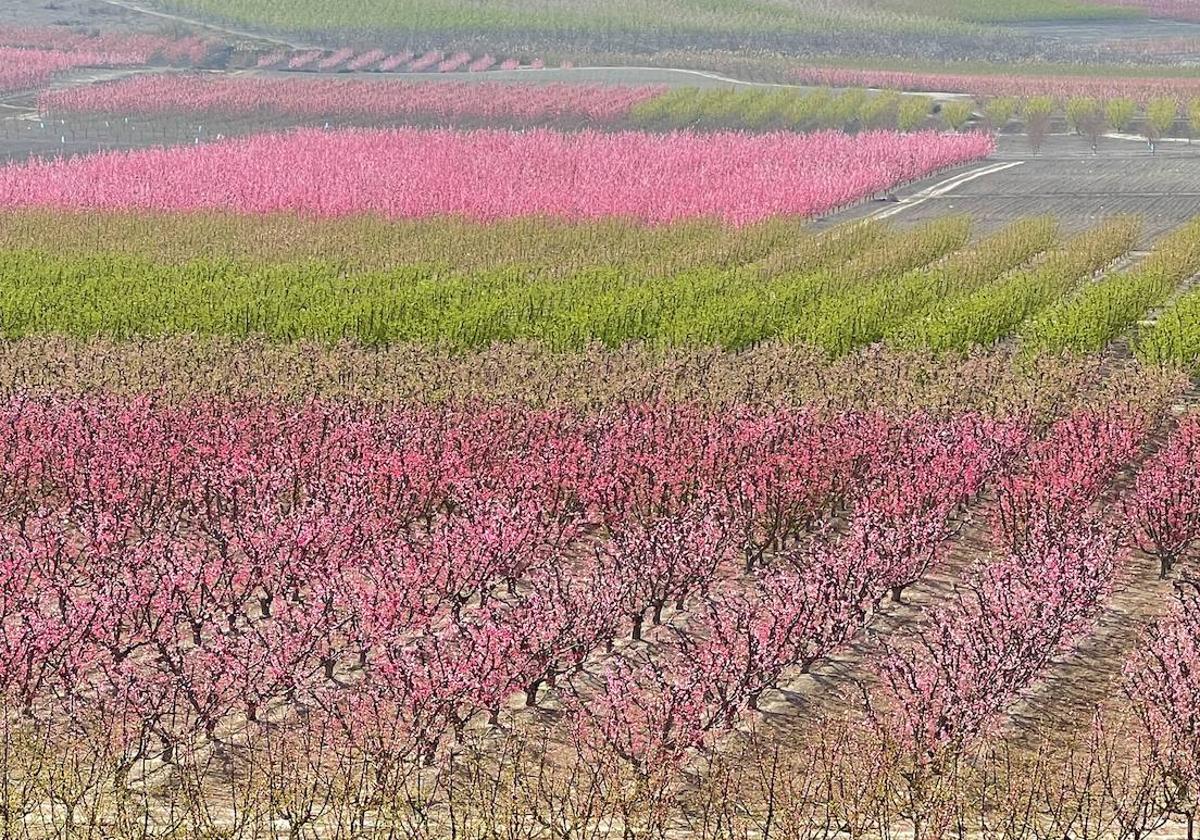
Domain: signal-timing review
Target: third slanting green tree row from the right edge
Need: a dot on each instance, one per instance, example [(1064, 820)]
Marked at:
[(997, 310)]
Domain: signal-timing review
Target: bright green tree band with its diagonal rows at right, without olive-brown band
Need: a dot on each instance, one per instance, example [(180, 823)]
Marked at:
[(928, 289)]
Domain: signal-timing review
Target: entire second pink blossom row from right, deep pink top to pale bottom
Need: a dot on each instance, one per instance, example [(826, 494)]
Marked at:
[(950, 683)]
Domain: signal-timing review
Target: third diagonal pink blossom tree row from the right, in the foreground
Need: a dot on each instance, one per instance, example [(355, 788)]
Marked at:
[(807, 604)]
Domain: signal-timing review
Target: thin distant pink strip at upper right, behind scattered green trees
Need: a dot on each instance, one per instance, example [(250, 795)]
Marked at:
[(1010, 85)]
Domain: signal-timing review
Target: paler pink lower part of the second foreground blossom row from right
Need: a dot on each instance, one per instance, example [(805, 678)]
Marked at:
[(950, 685)]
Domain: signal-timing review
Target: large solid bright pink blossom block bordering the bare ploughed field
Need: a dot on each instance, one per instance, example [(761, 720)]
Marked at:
[(496, 175)]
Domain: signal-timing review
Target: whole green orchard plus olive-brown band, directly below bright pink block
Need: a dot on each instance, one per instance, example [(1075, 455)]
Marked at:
[(569, 287)]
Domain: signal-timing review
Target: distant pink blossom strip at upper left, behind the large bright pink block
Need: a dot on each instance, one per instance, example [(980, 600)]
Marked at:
[(219, 95)]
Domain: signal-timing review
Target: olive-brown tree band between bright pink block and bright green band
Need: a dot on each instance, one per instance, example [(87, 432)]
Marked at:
[(548, 247)]
